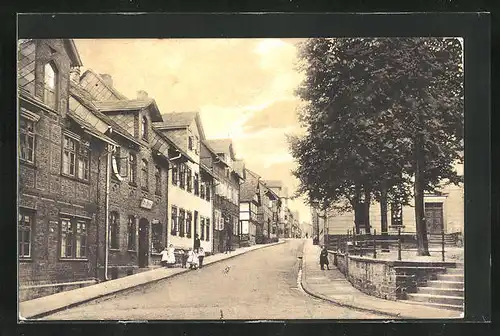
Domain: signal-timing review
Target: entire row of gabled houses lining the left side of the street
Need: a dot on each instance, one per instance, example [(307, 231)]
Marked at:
[(106, 182)]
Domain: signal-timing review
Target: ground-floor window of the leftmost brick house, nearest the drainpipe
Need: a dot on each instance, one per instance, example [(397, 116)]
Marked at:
[(73, 238)]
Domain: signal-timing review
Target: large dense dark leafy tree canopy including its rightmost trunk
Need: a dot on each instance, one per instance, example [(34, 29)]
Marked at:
[(377, 112)]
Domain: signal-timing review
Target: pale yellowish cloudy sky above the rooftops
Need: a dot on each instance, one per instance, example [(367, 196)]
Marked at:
[(243, 89)]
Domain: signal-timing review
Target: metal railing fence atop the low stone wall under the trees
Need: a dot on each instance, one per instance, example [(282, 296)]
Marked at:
[(372, 244)]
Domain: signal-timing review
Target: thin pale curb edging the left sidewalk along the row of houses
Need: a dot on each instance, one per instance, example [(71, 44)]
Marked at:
[(121, 290)]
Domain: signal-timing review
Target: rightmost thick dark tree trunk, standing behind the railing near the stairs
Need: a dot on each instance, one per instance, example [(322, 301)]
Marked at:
[(422, 243)]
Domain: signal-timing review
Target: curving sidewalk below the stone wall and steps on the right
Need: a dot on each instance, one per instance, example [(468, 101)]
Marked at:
[(332, 286)]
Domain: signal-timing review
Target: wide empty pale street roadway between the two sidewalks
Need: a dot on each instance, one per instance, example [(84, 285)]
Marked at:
[(258, 285)]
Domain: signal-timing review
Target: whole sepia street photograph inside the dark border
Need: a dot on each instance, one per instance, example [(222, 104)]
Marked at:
[(241, 178)]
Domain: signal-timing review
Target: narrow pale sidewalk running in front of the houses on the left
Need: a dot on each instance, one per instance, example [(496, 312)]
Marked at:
[(46, 305)]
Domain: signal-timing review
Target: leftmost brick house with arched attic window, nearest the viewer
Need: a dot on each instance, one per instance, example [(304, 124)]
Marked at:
[(59, 169)]
